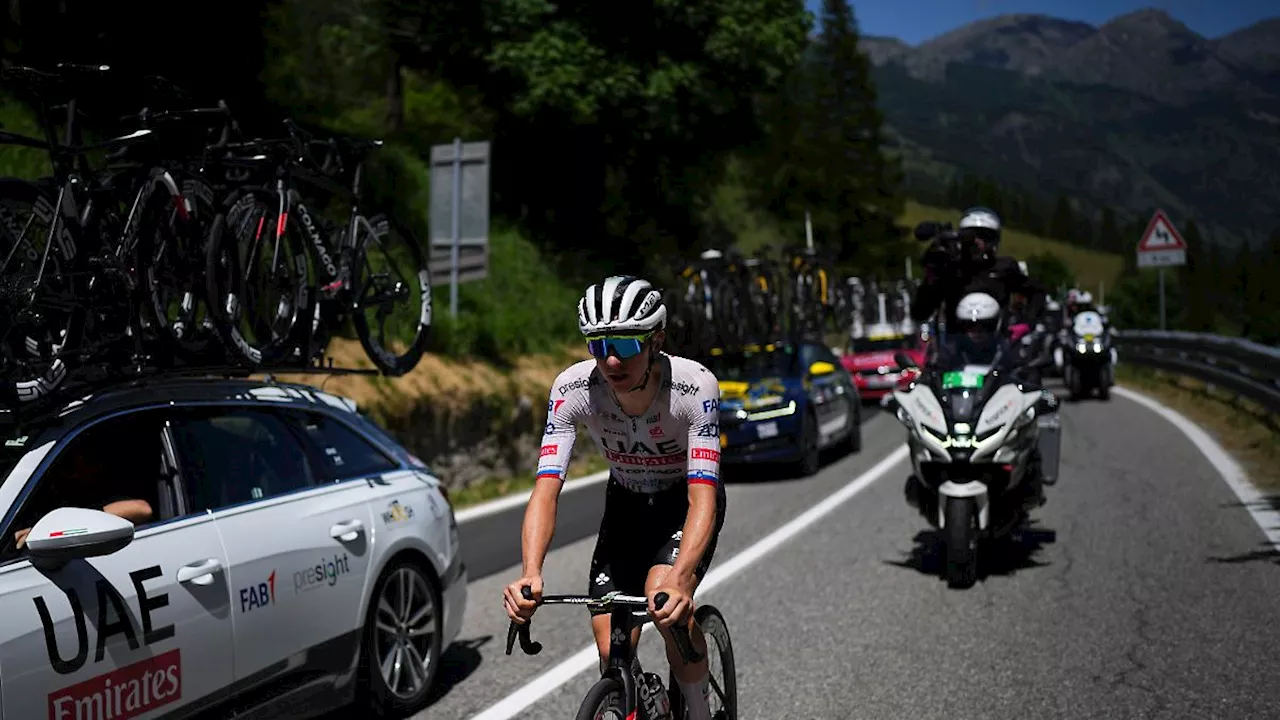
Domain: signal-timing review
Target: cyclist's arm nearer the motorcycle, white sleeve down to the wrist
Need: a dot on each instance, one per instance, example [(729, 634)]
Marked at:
[(703, 413)]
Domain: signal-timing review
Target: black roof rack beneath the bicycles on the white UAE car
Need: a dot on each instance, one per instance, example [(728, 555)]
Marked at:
[(75, 391)]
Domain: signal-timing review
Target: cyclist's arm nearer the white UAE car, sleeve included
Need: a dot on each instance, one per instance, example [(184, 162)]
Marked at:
[(564, 412)]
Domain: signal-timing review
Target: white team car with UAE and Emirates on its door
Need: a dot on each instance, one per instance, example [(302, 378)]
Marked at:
[(294, 554)]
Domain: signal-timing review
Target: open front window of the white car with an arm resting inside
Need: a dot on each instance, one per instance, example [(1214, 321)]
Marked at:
[(116, 466)]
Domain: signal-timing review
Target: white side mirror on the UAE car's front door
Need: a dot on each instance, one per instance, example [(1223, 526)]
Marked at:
[(71, 534)]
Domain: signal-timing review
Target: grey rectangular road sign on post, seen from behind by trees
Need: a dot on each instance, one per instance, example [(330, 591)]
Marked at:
[(460, 215)]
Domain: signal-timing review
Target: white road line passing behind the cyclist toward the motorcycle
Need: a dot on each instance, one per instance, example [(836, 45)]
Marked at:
[(586, 659)]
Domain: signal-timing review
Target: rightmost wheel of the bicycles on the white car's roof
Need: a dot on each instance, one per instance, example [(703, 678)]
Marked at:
[(392, 290)]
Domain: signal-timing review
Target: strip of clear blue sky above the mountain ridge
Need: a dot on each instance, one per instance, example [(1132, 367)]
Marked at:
[(917, 21)]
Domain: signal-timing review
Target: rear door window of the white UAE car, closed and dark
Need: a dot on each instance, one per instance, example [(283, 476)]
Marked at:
[(239, 455)]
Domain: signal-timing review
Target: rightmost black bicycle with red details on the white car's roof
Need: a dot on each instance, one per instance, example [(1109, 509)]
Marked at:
[(327, 270)]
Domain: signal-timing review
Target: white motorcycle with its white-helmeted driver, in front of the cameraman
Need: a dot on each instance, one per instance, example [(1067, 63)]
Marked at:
[(984, 441)]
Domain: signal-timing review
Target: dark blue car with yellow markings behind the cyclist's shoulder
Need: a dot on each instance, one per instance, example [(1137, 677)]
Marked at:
[(785, 404)]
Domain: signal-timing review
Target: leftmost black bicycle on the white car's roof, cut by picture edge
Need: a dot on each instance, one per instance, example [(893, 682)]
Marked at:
[(112, 244)]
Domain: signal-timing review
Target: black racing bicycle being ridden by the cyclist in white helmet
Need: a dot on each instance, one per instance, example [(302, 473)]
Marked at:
[(625, 691)]
